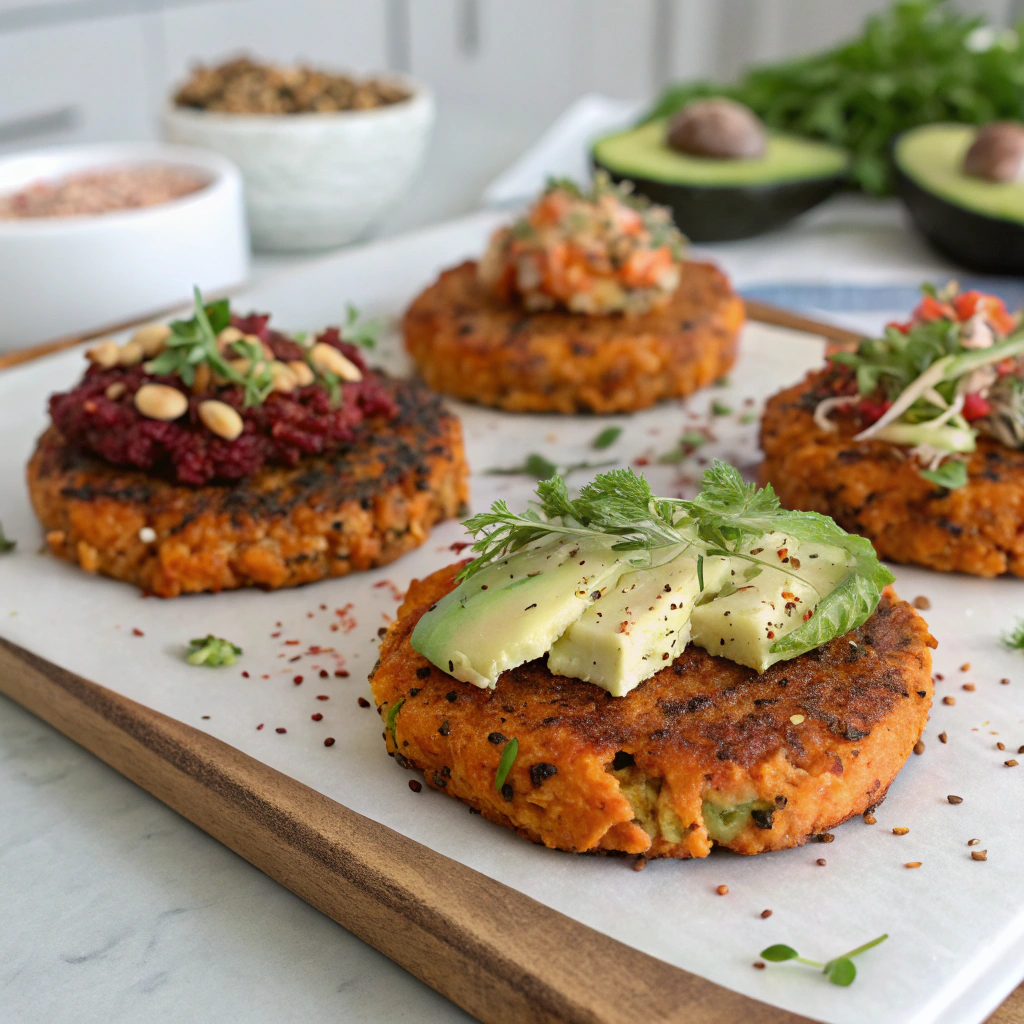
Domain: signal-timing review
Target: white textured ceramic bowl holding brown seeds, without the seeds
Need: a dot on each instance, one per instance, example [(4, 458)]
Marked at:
[(316, 181)]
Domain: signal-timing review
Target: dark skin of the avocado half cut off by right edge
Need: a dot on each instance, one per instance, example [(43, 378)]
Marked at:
[(975, 241)]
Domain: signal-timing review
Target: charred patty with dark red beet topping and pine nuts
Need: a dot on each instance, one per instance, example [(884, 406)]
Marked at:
[(217, 453)]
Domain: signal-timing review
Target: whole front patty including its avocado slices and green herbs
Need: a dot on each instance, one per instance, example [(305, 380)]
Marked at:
[(624, 672)]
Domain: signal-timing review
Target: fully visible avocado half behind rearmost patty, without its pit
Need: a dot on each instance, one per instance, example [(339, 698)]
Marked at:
[(723, 200)]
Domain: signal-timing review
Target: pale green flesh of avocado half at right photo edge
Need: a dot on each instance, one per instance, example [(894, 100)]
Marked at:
[(932, 157)]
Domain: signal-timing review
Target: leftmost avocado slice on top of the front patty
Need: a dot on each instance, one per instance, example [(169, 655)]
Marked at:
[(515, 610)]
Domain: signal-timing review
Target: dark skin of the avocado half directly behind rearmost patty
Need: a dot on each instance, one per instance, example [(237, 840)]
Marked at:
[(706, 214)]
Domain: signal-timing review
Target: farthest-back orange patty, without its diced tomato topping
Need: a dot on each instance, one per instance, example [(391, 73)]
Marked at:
[(468, 345)]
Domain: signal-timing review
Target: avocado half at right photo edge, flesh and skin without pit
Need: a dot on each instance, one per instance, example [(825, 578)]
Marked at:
[(976, 224)]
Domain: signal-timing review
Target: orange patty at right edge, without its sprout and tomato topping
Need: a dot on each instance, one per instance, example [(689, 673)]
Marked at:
[(870, 488)]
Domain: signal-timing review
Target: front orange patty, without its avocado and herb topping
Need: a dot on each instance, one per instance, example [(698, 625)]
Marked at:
[(804, 746)]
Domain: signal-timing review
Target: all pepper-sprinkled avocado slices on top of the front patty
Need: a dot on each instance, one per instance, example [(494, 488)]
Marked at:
[(601, 619)]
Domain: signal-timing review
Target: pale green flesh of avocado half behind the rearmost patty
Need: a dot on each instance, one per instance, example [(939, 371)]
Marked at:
[(643, 153)]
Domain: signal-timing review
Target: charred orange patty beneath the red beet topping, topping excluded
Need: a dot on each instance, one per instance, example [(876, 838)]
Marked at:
[(333, 515)]
